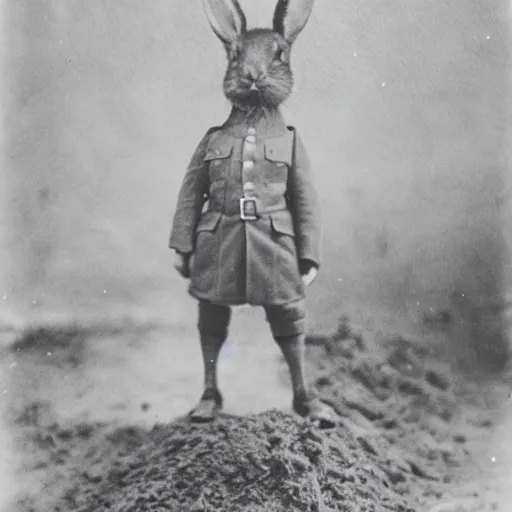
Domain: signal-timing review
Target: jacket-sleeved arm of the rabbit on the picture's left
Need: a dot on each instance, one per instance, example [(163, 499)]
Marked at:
[(191, 198)]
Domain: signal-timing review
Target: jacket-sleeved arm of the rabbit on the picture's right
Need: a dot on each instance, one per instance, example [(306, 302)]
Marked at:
[(305, 208)]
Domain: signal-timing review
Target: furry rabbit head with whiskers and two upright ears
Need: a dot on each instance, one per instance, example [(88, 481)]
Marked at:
[(258, 73)]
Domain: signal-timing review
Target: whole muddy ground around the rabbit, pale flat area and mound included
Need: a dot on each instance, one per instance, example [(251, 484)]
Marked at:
[(92, 435)]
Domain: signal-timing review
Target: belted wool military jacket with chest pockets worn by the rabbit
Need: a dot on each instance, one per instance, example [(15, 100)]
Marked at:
[(253, 261)]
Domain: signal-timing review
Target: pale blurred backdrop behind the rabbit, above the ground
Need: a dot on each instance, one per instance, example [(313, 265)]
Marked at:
[(403, 109)]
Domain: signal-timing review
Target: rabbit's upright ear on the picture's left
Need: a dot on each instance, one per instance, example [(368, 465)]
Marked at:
[(226, 19)]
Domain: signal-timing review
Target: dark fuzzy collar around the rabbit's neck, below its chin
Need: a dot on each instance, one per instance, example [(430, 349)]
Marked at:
[(268, 123)]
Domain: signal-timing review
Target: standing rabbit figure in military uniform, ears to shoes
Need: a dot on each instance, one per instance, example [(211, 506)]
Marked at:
[(247, 227)]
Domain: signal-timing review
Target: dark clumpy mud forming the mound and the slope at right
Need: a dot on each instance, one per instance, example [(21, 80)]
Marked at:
[(405, 421)]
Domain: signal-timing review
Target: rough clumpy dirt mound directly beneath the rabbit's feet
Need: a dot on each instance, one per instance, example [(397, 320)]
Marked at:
[(267, 462)]
